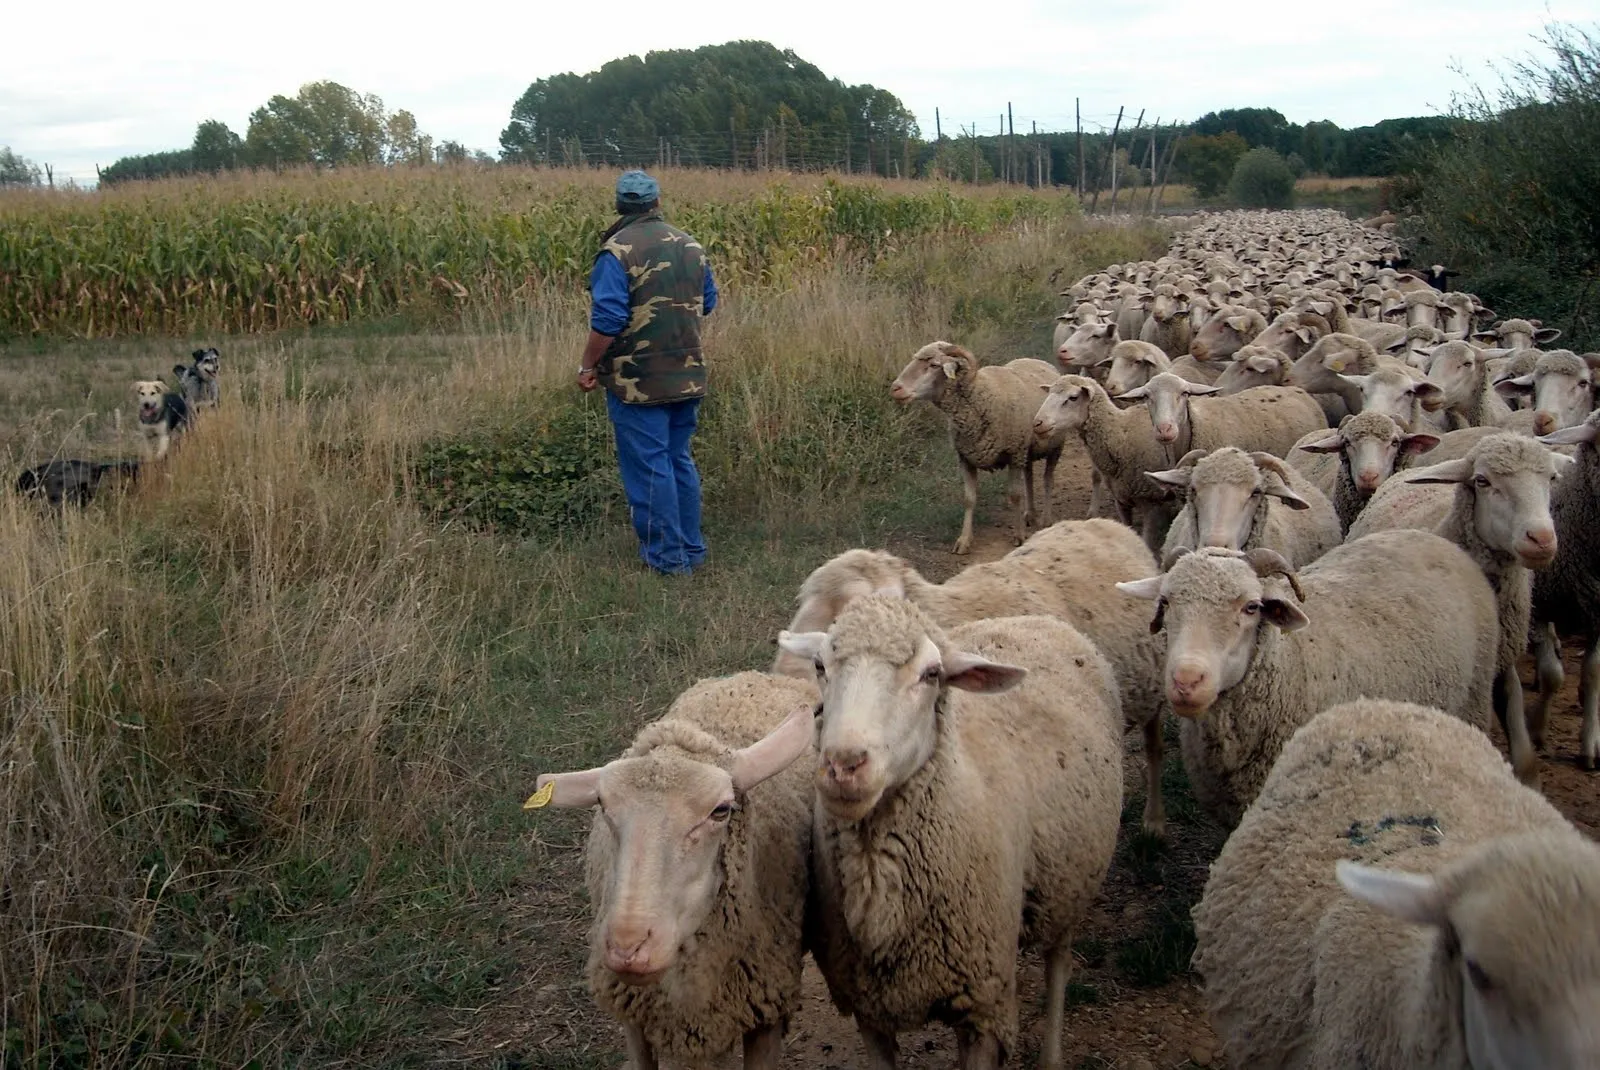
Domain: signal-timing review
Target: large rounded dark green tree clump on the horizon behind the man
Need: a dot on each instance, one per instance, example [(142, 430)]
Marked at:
[(716, 106)]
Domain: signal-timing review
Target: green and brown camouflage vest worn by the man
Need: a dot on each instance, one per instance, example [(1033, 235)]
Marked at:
[(657, 359)]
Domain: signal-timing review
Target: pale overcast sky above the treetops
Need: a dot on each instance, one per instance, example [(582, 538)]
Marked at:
[(97, 81)]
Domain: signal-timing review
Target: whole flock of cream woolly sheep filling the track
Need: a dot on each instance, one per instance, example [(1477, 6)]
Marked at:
[(930, 775)]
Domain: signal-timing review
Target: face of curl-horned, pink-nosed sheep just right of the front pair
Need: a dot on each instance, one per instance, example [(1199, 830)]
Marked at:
[(1212, 605)]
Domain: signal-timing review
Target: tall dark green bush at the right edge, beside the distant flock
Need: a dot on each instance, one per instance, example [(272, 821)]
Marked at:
[(1511, 201)]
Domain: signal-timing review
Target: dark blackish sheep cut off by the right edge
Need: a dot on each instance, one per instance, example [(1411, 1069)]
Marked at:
[(1567, 594)]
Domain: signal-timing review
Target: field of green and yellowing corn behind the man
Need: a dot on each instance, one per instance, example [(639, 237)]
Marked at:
[(268, 252)]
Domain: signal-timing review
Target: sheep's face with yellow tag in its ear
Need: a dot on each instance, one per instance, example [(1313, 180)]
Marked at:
[(666, 818)]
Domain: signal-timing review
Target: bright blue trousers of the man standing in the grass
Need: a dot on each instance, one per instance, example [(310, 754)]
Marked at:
[(662, 481)]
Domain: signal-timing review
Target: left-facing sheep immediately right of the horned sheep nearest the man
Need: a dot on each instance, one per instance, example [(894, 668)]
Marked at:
[(1119, 445)]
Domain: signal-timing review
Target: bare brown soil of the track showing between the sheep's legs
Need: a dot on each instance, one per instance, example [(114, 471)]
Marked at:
[(1114, 1021)]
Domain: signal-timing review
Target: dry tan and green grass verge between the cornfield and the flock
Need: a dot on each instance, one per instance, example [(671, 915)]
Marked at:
[(266, 719)]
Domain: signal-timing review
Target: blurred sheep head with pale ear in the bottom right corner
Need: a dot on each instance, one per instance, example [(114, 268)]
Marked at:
[(1505, 920)]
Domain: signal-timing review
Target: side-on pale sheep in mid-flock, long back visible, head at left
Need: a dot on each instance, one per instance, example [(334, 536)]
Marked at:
[(1266, 418)]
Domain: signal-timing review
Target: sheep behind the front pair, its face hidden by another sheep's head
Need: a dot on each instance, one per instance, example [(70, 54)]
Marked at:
[(1065, 572)]
